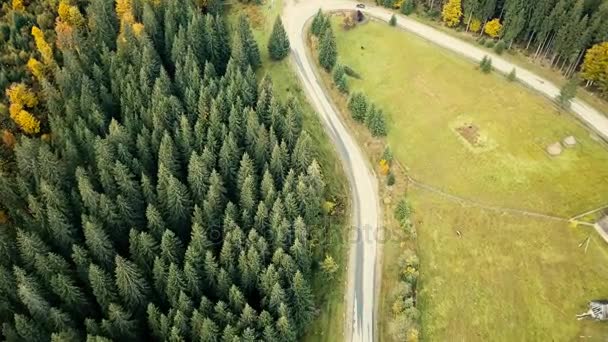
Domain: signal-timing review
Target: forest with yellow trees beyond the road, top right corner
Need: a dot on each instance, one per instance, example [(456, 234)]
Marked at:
[(569, 35)]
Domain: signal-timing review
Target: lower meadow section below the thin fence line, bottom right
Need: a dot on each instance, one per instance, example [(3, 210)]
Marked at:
[(507, 278)]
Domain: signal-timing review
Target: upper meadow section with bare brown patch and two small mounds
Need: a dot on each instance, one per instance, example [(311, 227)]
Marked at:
[(426, 90)]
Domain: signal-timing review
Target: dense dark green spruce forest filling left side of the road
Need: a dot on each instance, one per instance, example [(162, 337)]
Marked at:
[(176, 198)]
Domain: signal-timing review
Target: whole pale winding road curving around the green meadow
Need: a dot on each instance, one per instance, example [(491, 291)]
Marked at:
[(362, 289)]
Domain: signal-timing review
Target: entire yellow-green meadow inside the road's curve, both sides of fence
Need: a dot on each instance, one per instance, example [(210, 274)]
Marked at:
[(508, 276)]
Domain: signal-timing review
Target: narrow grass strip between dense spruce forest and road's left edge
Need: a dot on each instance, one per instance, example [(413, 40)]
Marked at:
[(329, 325)]
